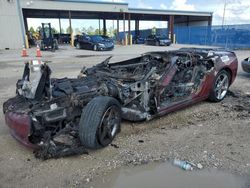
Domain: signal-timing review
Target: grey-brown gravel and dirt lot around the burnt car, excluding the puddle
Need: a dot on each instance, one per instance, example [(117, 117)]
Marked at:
[(217, 135)]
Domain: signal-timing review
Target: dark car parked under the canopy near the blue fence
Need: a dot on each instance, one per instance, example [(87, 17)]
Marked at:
[(157, 40)]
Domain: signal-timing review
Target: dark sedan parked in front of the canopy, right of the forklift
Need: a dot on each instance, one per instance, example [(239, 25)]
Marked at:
[(93, 42)]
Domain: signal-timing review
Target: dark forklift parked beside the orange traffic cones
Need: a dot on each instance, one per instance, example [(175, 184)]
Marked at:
[(47, 38)]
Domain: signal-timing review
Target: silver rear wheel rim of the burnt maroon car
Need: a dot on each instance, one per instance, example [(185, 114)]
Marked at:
[(221, 86)]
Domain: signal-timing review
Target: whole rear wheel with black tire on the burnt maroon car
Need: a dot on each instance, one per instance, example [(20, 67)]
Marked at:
[(216, 95)]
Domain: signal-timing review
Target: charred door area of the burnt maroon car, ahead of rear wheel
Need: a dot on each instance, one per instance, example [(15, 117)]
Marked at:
[(181, 84)]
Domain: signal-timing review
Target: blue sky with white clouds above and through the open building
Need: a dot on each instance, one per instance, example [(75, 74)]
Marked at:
[(237, 12)]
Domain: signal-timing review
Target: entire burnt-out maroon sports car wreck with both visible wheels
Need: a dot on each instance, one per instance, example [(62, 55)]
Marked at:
[(61, 117)]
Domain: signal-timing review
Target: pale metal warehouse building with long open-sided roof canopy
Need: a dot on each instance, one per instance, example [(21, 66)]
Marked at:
[(14, 14)]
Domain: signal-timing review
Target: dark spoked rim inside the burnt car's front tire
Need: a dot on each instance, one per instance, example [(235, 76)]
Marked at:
[(108, 126)]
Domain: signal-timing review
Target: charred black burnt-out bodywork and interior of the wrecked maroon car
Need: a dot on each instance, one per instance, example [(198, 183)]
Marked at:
[(142, 86)]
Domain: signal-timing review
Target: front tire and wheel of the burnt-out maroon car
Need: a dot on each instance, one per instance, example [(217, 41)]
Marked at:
[(96, 130)]
